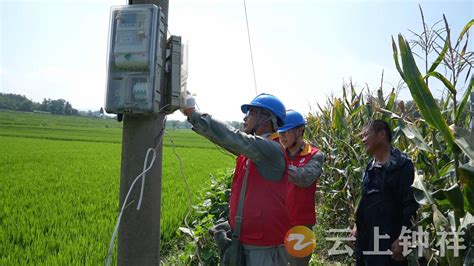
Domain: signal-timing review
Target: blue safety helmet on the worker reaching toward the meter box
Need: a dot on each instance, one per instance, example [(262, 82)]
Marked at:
[(269, 103)]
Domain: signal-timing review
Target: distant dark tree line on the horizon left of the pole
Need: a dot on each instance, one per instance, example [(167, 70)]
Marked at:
[(16, 102)]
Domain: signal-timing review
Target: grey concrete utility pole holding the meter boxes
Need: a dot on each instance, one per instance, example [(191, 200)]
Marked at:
[(139, 232)]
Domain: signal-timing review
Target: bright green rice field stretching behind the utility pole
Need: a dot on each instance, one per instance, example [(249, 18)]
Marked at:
[(60, 178)]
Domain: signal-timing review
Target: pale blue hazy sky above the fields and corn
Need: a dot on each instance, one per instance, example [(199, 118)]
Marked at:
[(303, 50)]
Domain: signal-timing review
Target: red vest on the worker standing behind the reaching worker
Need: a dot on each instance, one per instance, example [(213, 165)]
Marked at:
[(301, 206)]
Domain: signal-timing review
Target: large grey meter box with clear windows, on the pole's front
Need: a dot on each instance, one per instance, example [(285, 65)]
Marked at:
[(135, 59)]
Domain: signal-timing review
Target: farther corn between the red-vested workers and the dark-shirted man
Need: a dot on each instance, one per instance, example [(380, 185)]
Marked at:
[(335, 130)]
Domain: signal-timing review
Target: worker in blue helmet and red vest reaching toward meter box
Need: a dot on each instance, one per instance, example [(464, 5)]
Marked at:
[(258, 216)]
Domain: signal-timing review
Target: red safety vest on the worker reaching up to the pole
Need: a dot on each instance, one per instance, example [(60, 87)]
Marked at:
[(265, 215)]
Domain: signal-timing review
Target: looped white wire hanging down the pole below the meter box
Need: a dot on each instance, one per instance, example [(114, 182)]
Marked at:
[(142, 174)]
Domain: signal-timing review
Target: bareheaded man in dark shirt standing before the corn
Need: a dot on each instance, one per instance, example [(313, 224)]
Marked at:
[(387, 203)]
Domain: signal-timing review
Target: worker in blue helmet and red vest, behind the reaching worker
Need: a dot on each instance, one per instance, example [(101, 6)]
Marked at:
[(305, 167)]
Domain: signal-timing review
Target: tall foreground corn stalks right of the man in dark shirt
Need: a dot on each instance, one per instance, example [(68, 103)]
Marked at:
[(445, 188)]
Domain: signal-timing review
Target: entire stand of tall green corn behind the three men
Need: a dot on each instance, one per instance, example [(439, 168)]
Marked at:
[(433, 132)]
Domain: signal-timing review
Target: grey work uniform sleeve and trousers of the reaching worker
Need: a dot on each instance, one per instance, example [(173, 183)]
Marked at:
[(269, 159)]
